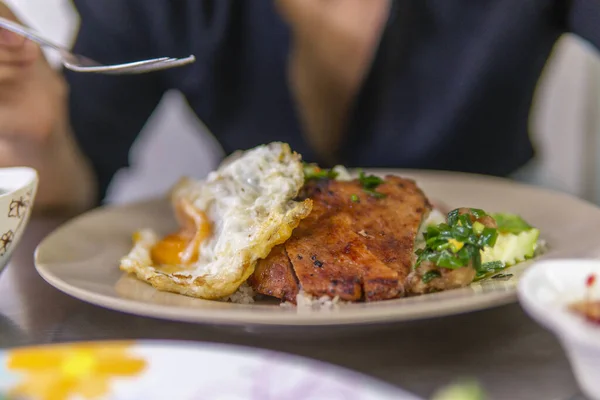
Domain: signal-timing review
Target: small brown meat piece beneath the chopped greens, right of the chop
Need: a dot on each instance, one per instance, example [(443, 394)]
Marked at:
[(446, 279)]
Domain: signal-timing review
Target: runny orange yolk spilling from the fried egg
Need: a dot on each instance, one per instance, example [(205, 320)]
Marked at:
[(183, 247)]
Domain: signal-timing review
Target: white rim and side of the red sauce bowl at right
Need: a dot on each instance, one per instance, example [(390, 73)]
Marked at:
[(545, 291)]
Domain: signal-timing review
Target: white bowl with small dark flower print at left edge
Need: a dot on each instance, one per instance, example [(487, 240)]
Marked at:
[(18, 187)]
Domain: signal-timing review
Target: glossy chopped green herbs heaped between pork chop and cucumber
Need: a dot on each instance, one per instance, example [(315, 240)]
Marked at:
[(454, 244)]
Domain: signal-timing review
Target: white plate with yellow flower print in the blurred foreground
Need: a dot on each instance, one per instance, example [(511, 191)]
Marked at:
[(179, 370)]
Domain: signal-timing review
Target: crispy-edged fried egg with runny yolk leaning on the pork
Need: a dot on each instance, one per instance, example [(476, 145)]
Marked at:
[(227, 223)]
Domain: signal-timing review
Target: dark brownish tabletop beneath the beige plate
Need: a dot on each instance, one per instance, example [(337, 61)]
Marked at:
[(512, 356)]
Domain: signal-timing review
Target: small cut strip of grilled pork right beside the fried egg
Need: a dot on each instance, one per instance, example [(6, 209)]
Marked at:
[(273, 276)]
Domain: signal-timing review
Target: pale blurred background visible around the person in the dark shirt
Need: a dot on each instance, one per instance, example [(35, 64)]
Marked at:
[(565, 122)]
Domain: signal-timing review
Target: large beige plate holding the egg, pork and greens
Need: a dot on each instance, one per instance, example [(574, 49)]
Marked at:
[(81, 258)]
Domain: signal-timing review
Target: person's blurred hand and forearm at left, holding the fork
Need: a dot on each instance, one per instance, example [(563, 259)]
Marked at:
[(34, 128)]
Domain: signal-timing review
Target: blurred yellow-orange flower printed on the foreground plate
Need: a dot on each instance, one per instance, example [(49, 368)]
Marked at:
[(61, 371)]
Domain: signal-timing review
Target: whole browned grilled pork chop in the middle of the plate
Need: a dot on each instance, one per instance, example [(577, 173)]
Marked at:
[(353, 244)]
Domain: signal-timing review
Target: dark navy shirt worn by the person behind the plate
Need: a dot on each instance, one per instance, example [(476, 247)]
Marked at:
[(450, 87)]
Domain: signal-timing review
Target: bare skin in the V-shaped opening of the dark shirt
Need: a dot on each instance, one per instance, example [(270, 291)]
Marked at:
[(333, 43)]
